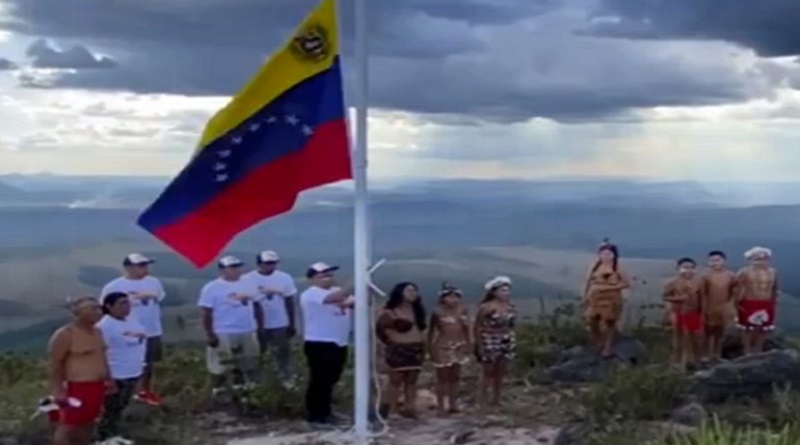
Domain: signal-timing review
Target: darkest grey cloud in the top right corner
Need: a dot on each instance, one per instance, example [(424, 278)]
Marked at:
[(771, 27)]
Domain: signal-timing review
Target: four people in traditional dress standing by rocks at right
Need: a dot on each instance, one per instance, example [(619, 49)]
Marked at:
[(700, 306)]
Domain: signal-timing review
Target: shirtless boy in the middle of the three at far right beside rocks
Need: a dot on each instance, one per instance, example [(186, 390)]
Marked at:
[(719, 285)]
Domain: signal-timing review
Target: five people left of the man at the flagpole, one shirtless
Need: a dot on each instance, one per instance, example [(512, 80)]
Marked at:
[(106, 356)]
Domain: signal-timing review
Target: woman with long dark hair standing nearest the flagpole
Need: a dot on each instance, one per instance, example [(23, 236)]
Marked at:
[(400, 328)]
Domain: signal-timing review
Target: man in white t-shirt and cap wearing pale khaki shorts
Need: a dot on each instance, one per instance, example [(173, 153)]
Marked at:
[(231, 318)]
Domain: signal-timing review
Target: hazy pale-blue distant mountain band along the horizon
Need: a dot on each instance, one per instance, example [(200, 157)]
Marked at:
[(137, 192)]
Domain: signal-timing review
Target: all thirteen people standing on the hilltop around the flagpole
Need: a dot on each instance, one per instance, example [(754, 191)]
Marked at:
[(107, 355)]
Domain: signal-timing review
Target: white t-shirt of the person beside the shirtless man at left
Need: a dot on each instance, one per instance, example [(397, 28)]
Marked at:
[(125, 346)]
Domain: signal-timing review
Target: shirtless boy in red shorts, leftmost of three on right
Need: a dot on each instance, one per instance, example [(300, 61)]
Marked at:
[(684, 293)]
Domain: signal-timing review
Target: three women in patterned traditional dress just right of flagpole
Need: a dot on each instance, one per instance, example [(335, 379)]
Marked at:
[(450, 337)]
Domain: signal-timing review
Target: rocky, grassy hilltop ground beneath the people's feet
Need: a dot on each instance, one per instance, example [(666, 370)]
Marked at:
[(561, 393)]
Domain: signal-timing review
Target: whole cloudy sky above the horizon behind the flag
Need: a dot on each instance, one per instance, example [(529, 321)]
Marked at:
[(661, 89)]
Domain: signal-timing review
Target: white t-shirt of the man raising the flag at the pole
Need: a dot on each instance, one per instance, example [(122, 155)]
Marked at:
[(324, 322)]
